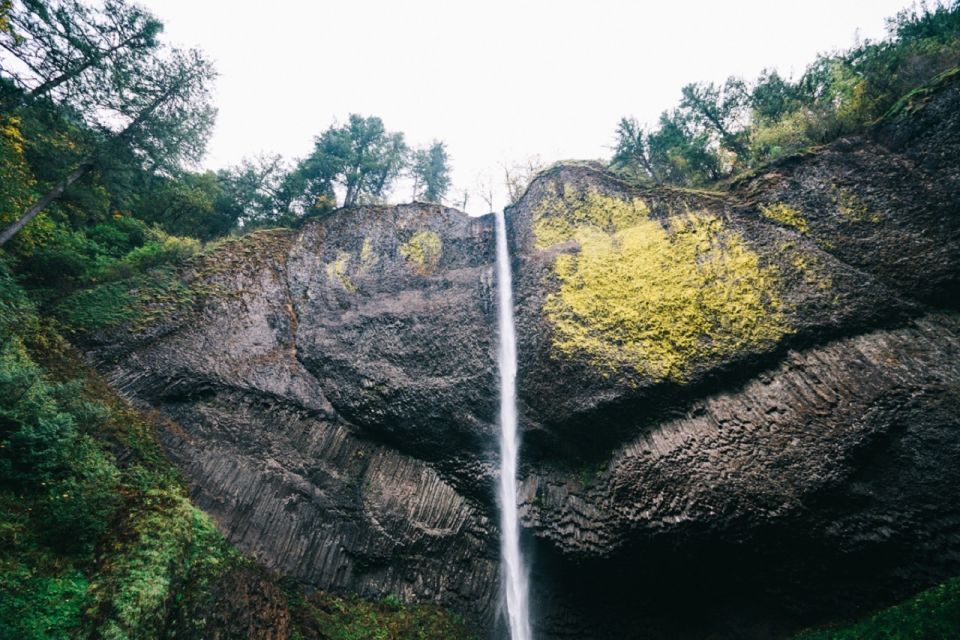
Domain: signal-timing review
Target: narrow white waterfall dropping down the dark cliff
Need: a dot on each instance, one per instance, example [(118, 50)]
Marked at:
[(514, 574)]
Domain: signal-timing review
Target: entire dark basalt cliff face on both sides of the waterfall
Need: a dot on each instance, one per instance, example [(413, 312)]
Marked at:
[(741, 409)]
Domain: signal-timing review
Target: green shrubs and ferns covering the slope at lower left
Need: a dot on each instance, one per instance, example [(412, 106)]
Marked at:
[(88, 547)]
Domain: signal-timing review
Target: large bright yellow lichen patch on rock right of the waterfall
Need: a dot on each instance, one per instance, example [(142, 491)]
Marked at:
[(663, 301)]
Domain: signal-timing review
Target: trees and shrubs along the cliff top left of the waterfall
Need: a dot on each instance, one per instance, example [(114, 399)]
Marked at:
[(107, 248)]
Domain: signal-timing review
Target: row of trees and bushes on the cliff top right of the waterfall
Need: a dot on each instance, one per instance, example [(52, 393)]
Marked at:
[(719, 131)]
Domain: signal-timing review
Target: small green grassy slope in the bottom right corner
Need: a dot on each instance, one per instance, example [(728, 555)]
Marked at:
[(934, 613)]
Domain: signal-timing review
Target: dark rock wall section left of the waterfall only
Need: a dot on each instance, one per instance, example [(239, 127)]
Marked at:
[(308, 400)]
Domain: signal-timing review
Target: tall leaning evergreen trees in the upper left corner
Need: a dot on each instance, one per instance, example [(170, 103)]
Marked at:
[(97, 99)]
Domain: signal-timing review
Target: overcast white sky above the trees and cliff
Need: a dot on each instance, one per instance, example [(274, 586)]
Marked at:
[(499, 81)]
